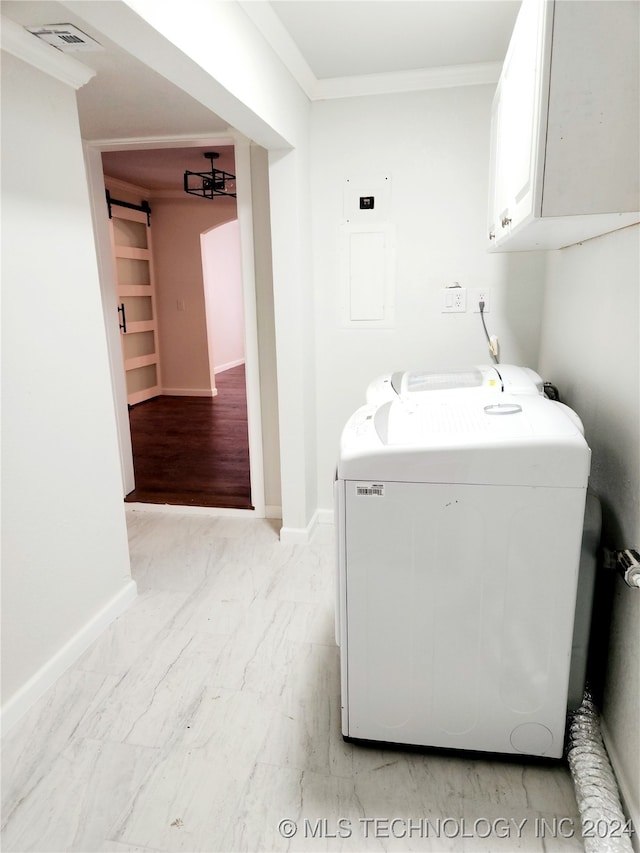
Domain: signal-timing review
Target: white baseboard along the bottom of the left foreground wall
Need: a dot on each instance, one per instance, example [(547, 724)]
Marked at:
[(65, 657)]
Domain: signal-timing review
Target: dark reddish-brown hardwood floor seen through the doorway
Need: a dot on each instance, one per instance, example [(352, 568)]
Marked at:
[(193, 451)]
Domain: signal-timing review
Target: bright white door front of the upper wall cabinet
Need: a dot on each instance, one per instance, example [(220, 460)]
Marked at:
[(520, 120)]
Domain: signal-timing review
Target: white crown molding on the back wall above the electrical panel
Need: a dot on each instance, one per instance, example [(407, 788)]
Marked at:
[(445, 77)]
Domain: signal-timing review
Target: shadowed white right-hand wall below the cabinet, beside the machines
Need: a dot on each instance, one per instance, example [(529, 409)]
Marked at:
[(590, 345)]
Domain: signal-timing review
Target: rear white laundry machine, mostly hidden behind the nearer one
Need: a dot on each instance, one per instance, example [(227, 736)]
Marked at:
[(420, 385)]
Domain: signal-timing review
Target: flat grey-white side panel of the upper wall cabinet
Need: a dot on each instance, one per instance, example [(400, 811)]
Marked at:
[(592, 162)]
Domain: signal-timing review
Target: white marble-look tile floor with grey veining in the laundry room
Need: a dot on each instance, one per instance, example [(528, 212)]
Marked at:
[(206, 718)]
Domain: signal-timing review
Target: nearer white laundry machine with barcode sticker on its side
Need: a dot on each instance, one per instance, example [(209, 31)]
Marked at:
[(459, 536)]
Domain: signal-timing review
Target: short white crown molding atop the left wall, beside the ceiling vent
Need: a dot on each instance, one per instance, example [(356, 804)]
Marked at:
[(15, 40)]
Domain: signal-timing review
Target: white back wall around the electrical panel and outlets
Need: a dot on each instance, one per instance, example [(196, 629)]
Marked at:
[(435, 147)]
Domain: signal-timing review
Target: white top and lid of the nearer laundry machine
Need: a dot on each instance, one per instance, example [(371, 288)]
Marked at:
[(505, 440)]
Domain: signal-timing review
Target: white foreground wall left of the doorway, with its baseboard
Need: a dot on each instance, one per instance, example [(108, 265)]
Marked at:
[(65, 559)]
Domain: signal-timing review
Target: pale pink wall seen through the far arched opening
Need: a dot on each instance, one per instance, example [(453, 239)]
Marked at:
[(223, 295)]
